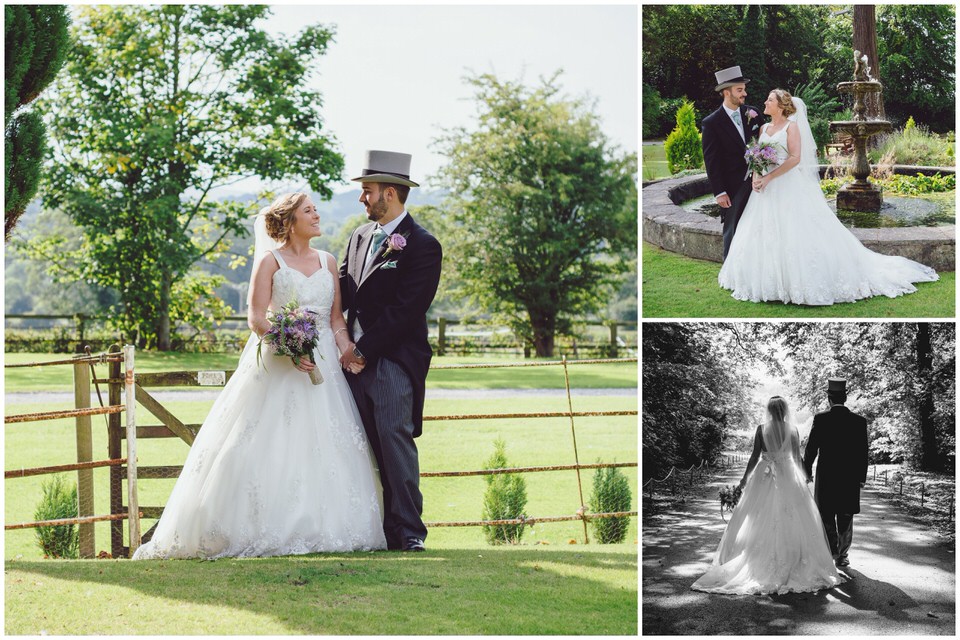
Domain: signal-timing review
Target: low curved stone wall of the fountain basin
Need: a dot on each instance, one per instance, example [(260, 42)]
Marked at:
[(666, 224)]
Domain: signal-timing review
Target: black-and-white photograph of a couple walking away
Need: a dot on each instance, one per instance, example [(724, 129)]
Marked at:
[(798, 478)]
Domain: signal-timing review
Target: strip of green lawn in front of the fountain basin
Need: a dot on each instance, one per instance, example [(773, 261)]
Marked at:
[(675, 286)]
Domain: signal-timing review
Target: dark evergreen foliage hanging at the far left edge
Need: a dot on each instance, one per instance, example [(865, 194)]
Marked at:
[(36, 41)]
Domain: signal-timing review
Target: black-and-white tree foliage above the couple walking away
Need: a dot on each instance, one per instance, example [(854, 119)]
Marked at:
[(698, 383)]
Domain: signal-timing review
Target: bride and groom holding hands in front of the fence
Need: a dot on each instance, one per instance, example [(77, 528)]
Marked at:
[(282, 466)]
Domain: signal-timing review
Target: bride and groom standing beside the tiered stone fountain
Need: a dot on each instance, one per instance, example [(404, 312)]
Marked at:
[(781, 240)]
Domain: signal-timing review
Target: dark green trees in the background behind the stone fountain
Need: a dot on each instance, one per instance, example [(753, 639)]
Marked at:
[(800, 45)]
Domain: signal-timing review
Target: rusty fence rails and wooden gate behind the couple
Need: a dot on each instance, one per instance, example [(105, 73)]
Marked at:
[(133, 387)]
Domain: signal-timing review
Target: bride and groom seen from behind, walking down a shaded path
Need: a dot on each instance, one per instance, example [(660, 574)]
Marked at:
[(780, 539)]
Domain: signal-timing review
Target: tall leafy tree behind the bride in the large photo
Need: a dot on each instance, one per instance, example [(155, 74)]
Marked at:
[(160, 106)]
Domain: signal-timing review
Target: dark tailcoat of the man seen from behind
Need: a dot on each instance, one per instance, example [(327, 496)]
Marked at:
[(839, 438)]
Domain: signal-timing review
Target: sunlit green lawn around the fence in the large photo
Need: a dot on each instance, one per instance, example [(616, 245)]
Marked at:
[(552, 583)]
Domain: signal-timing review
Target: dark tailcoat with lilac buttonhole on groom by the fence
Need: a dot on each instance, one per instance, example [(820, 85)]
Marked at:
[(391, 299)]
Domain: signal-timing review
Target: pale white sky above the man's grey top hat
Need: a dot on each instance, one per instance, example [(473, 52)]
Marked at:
[(417, 56)]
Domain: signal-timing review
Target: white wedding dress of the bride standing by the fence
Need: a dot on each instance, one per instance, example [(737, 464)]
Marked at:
[(280, 466)]
